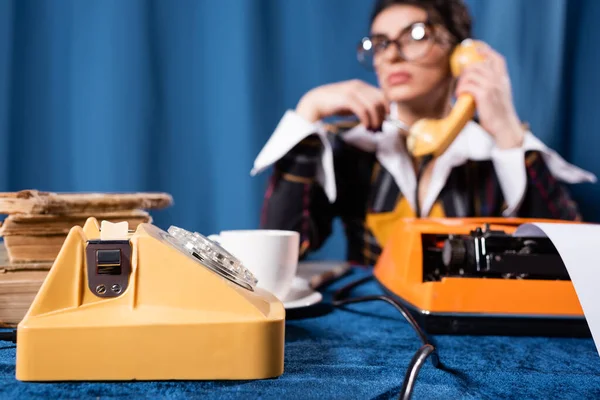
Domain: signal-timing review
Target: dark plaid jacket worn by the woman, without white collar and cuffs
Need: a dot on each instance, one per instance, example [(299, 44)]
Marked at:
[(294, 201)]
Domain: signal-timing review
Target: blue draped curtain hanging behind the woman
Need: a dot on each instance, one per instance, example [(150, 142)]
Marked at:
[(179, 96)]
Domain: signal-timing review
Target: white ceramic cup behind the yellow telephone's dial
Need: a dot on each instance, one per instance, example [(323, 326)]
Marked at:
[(271, 255)]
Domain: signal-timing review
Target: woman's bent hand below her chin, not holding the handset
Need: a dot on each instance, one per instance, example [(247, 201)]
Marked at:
[(345, 98)]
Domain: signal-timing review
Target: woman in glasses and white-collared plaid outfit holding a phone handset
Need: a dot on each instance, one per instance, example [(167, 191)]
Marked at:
[(364, 174)]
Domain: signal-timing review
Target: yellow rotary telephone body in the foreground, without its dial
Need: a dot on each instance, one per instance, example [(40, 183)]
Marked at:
[(158, 315)]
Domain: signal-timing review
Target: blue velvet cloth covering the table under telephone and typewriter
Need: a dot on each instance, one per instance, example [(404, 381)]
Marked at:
[(362, 352)]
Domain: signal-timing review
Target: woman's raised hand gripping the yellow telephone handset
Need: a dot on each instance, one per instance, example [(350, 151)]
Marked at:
[(488, 82)]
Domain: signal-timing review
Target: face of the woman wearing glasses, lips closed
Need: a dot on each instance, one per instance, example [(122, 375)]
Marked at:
[(404, 80)]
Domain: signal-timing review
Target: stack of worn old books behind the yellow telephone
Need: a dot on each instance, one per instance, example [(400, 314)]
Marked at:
[(36, 227)]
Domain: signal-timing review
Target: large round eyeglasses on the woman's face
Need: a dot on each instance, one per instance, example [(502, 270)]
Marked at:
[(413, 43)]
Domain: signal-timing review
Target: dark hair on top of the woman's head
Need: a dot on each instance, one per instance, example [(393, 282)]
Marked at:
[(452, 14)]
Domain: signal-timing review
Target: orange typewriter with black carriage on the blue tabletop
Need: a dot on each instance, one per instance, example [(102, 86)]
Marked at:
[(472, 276)]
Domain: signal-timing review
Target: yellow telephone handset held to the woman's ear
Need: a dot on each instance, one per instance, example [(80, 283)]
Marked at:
[(433, 136)]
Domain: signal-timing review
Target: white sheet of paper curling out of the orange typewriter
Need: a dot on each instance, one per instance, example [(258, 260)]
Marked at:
[(578, 246)]
